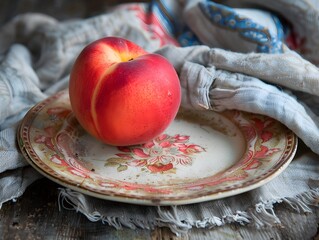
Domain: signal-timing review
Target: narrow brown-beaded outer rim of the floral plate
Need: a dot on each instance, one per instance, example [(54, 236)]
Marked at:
[(147, 200)]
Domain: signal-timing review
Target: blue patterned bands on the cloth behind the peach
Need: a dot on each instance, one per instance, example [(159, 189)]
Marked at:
[(224, 17)]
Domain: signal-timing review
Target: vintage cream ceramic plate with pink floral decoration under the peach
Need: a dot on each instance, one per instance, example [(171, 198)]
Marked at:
[(202, 156)]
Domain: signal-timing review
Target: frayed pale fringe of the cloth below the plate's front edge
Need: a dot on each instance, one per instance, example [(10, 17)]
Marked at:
[(261, 215)]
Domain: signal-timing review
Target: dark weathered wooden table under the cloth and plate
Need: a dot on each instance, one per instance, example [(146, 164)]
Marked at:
[(36, 215)]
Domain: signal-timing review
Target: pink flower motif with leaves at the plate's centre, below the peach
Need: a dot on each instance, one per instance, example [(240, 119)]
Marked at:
[(159, 155)]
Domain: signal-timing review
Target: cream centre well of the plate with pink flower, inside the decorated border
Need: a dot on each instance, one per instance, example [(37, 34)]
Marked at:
[(196, 145)]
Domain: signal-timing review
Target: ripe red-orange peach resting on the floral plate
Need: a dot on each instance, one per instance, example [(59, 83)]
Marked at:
[(121, 94)]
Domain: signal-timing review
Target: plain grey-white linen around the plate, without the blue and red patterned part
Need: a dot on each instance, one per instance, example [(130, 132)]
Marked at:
[(35, 64)]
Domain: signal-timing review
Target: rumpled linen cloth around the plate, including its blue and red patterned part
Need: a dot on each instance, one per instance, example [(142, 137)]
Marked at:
[(222, 64)]
